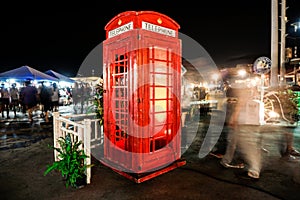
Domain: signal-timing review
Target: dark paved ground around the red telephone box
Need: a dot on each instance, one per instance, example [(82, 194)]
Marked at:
[(24, 156)]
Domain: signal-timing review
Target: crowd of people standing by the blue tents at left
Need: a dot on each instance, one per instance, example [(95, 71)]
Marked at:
[(30, 97)]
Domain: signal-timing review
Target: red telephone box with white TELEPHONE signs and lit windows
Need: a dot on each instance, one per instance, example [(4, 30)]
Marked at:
[(142, 80)]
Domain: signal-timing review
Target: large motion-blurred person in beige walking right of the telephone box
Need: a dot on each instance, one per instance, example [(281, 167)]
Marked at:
[(239, 137)]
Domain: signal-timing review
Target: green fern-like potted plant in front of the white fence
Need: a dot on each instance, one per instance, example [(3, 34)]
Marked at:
[(71, 162)]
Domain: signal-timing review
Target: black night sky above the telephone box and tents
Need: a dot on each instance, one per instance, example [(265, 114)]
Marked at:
[(59, 37)]
